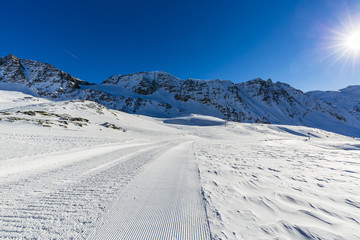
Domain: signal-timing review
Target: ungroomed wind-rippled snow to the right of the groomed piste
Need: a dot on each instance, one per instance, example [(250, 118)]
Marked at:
[(266, 183)]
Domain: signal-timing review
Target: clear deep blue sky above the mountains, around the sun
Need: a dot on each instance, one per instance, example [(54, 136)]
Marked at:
[(237, 40)]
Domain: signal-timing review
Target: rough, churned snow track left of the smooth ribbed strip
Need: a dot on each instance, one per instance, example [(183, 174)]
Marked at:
[(67, 201)]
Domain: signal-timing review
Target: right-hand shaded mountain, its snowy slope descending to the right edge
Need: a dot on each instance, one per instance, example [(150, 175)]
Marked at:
[(279, 103)]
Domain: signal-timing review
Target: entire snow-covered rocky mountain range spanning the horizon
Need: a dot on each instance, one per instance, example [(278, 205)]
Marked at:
[(159, 94)]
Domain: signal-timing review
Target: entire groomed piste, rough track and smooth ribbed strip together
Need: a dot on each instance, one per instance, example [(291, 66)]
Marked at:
[(65, 193)]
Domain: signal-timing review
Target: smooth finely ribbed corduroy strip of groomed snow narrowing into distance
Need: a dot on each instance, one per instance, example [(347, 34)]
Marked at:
[(164, 201)]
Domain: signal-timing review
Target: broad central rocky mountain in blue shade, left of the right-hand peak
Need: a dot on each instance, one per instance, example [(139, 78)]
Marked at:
[(163, 95)]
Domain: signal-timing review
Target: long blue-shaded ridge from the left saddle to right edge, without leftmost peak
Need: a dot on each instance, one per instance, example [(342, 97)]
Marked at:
[(162, 95)]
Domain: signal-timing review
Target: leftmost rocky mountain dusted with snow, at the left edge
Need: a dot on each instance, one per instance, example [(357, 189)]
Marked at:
[(41, 79)]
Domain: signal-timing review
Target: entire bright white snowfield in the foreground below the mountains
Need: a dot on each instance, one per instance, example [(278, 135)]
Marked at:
[(66, 174)]
